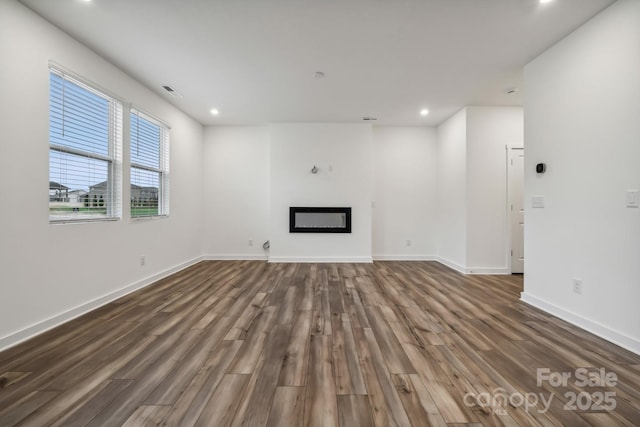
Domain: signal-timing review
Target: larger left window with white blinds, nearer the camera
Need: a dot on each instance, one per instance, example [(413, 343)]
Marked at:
[(85, 140)]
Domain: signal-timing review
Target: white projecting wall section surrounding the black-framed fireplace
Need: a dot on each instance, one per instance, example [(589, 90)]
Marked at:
[(343, 155)]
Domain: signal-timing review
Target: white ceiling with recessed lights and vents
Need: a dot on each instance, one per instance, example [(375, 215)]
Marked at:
[(254, 59)]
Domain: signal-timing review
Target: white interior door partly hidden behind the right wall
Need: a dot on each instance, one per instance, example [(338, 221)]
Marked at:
[(516, 208)]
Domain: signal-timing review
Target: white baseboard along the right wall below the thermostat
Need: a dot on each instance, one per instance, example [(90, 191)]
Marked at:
[(630, 343)]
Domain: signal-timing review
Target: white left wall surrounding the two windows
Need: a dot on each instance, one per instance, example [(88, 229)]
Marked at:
[(50, 273)]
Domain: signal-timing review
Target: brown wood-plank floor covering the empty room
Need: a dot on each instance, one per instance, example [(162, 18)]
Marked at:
[(247, 343)]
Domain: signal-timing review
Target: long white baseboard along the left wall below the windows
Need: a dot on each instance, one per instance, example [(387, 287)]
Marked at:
[(38, 328)]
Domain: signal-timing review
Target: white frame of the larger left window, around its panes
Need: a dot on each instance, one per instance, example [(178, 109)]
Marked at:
[(114, 124)]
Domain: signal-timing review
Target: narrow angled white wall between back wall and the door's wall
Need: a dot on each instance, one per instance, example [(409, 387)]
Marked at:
[(452, 191)]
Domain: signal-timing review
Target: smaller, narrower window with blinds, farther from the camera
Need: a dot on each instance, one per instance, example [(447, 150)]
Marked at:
[(149, 166)]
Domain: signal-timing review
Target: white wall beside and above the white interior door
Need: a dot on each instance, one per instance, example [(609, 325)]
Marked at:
[(489, 130)]
